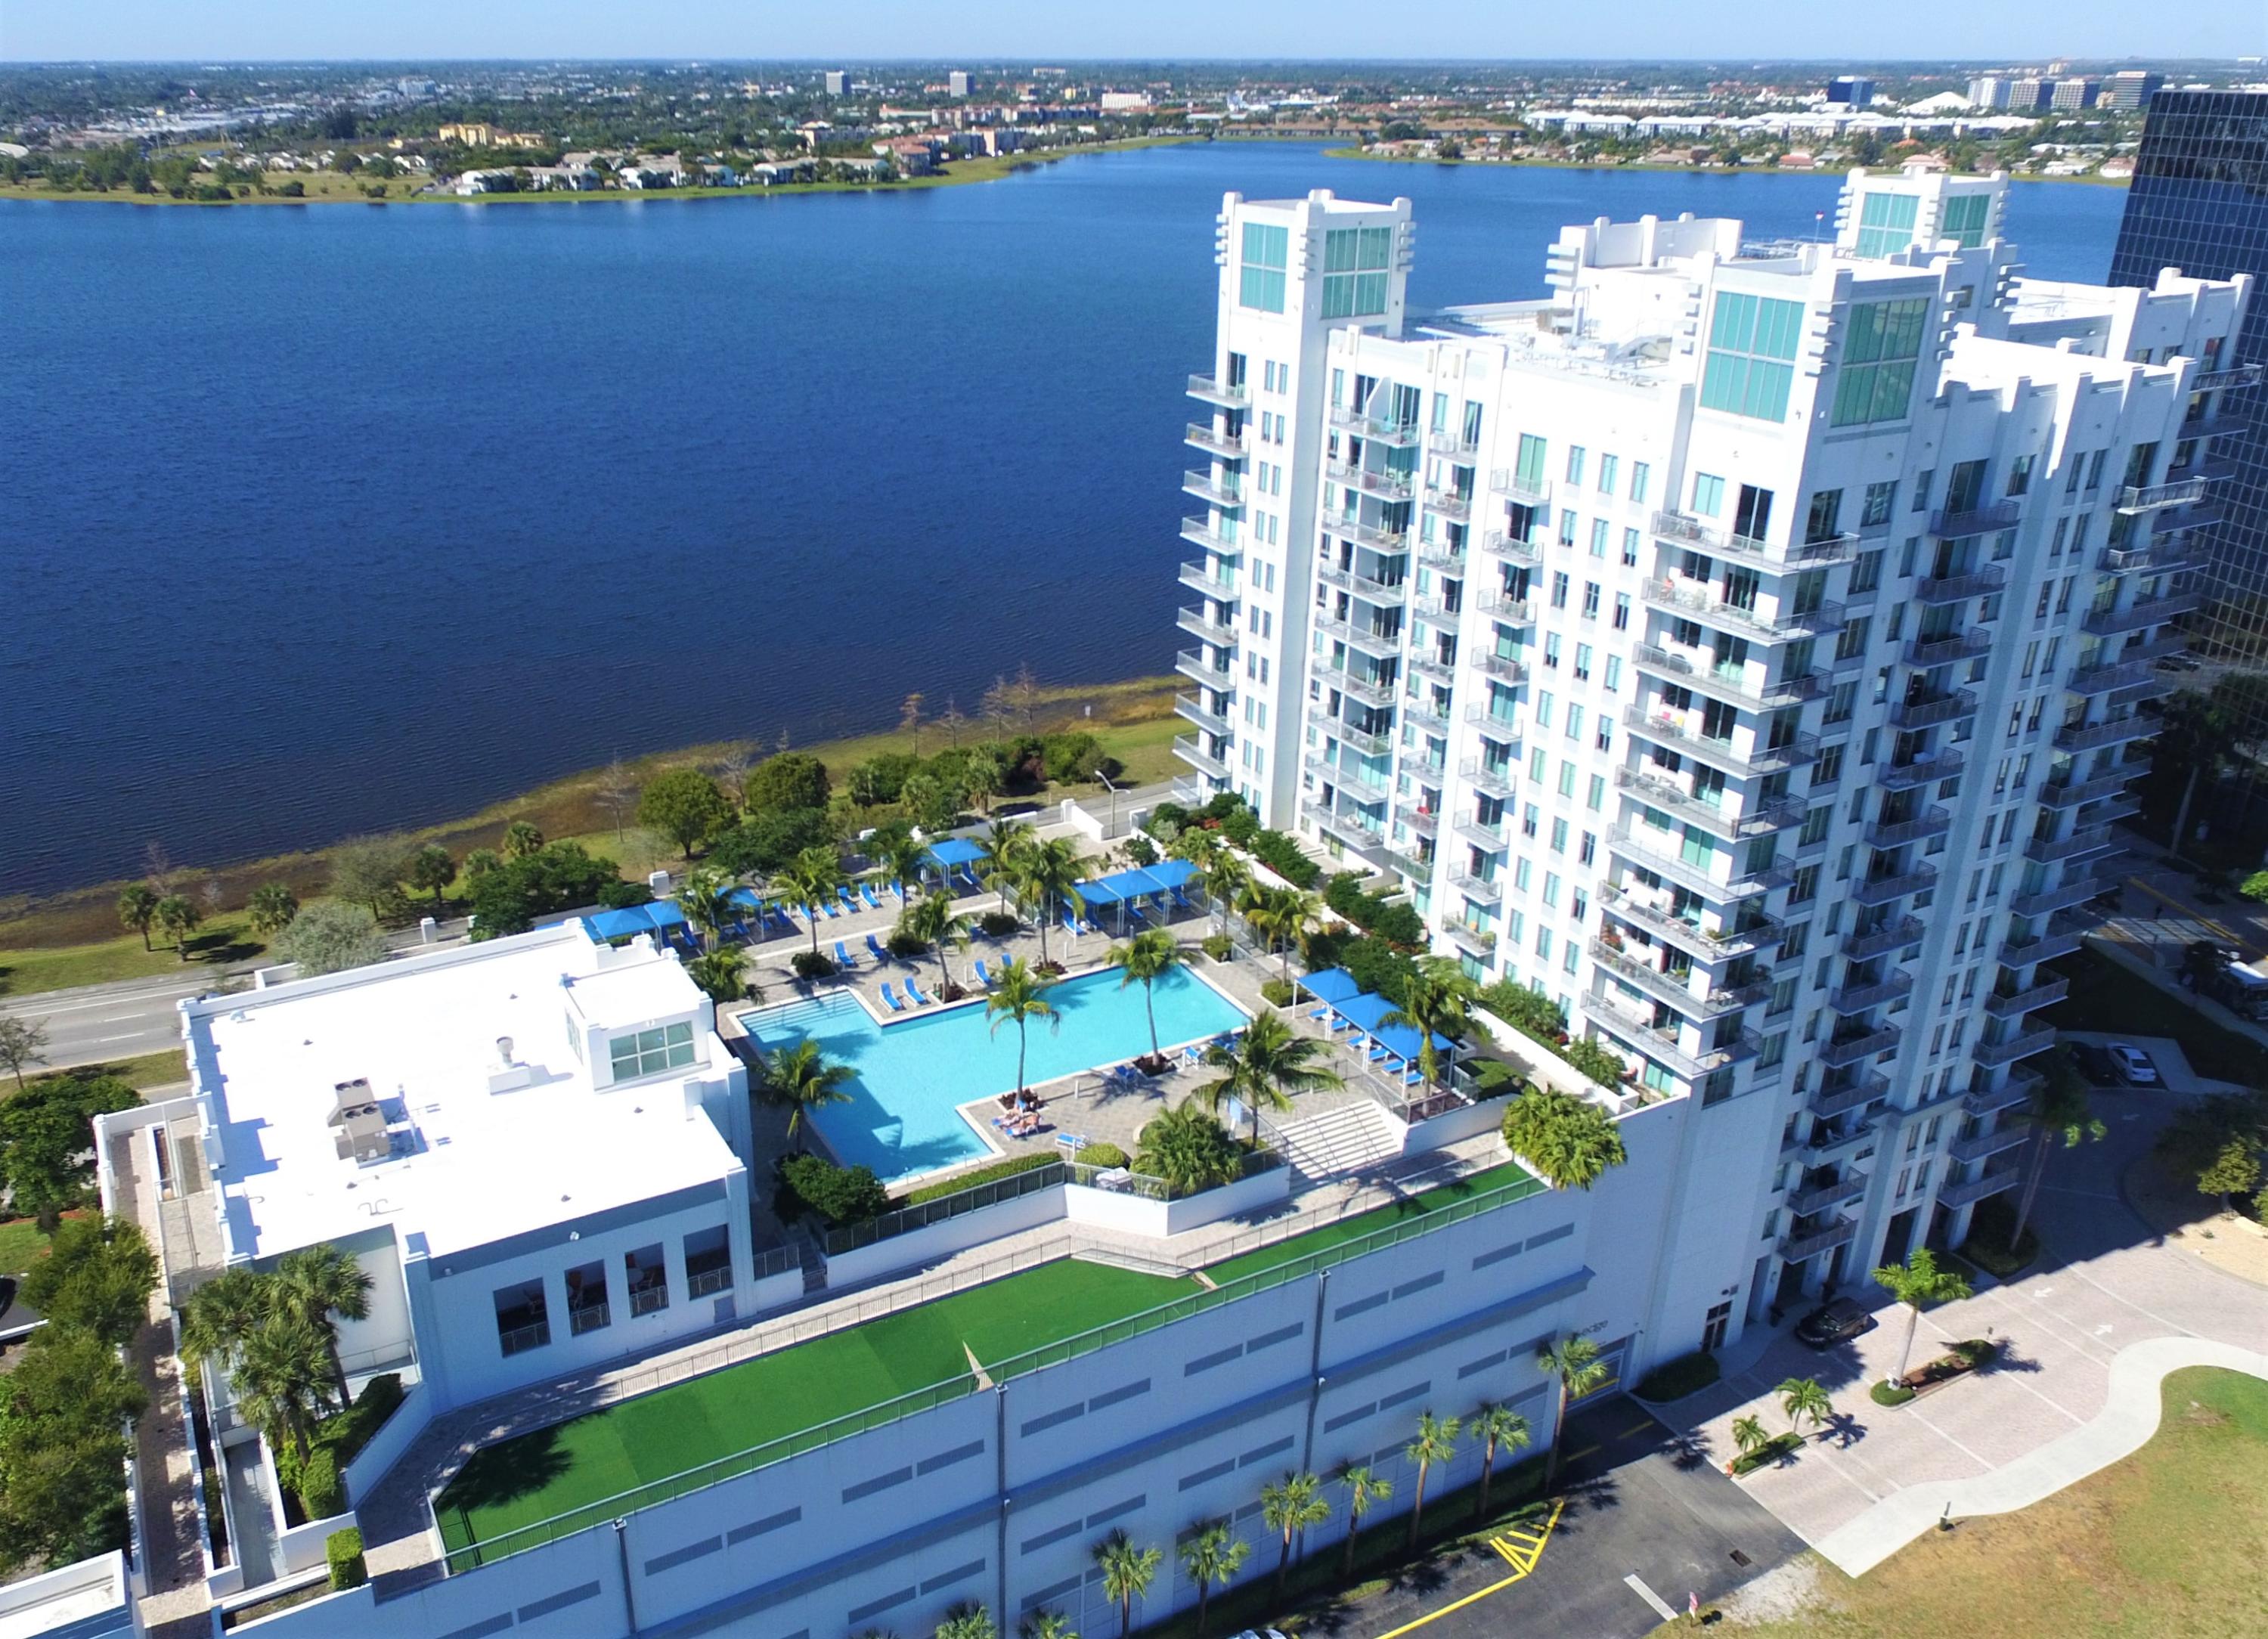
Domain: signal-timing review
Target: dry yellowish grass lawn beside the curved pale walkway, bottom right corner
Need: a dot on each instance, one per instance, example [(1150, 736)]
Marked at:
[(2165, 1545)]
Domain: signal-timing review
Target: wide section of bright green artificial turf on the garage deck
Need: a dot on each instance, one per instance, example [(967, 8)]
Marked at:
[(679, 1429)]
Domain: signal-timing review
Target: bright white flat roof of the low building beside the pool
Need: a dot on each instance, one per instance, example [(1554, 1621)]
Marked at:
[(471, 1164)]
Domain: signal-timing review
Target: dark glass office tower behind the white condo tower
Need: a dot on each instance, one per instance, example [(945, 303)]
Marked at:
[(2201, 203)]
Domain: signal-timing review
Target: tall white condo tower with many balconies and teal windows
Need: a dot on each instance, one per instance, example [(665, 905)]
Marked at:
[(1745, 647)]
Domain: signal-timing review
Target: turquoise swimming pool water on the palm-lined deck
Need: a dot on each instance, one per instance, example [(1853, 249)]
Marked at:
[(913, 1073)]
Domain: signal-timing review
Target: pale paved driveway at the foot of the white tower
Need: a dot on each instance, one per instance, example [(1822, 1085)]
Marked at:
[(2104, 1284)]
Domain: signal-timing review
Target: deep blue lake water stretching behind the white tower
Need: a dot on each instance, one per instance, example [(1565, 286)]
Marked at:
[(325, 520)]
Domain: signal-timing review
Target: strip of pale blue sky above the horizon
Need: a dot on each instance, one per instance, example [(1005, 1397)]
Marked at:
[(1035, 31)]
